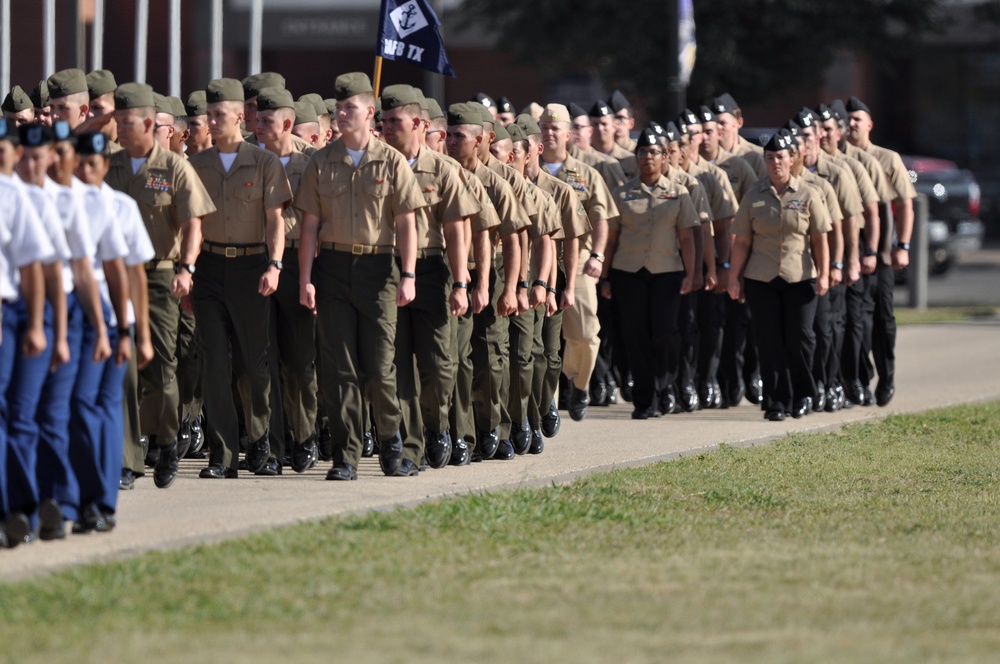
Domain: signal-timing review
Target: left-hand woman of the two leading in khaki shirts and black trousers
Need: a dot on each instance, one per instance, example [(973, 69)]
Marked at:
[(650, 259)]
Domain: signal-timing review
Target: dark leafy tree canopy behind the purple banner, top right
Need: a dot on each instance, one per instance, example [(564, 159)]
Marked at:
[(755, 49)]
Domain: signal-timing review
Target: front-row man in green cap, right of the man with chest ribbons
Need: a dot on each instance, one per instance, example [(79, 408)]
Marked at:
[(237, 271)]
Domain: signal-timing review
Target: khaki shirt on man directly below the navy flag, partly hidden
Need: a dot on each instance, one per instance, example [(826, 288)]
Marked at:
[(446, 197)]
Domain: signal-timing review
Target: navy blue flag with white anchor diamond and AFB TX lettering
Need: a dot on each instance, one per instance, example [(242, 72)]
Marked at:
[(408, 31)]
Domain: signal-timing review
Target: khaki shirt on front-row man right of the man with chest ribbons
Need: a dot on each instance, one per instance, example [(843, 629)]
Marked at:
[(254, 183)]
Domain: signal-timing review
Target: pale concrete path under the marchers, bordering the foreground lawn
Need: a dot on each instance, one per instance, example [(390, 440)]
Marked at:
[(936, 366)]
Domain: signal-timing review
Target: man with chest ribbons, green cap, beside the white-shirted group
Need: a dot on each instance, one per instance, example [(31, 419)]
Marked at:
[(172, 201)]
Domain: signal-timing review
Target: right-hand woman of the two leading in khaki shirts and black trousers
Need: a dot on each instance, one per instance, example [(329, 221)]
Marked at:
[(781, 260)]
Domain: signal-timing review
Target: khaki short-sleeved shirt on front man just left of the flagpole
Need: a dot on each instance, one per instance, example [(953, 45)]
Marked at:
[(358, 205)]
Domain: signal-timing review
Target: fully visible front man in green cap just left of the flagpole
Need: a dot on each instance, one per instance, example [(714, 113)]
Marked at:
[(358, 198)]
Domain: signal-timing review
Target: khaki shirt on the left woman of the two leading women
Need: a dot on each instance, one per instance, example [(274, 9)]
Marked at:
[(649, 225)]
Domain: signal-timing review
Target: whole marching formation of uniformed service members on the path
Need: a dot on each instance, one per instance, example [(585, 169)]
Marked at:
[(267, 282)]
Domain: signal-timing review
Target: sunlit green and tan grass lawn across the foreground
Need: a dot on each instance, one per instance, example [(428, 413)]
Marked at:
[(872, 544)]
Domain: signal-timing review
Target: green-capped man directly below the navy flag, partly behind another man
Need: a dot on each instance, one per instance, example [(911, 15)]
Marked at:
[(424, 328)]
